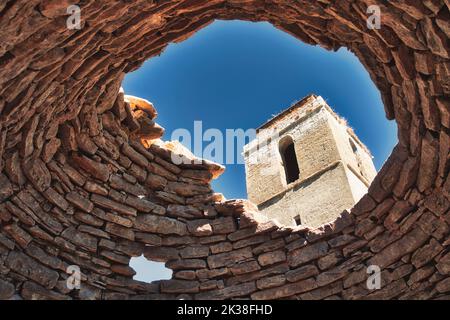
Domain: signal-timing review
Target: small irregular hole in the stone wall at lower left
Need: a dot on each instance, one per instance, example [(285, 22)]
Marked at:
[(148, 271)]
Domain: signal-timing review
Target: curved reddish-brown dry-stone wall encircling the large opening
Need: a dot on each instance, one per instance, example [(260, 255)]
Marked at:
[(73, 172)]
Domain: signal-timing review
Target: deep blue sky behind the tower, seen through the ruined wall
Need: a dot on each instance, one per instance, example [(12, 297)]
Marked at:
[(236, 74)]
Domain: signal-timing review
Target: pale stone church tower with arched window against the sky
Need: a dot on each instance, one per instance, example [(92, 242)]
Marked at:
[(306, 165)]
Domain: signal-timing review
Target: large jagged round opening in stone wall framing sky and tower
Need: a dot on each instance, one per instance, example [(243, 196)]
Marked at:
[(232, 77)]
